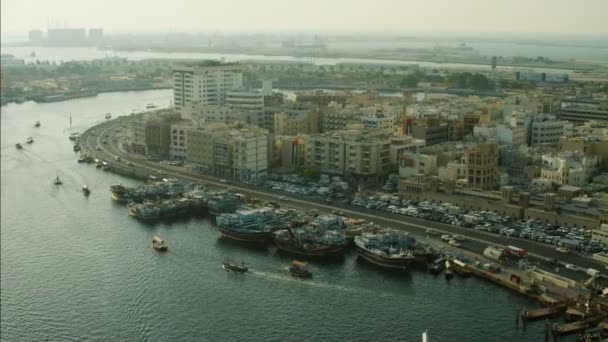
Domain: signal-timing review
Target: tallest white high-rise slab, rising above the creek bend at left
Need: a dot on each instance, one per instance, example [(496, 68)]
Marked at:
[(205, 83)]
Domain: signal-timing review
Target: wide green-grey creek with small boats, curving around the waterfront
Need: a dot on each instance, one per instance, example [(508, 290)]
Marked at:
[(78, 268)]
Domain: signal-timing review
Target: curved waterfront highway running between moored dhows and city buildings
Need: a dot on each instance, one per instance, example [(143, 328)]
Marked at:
[(478, 240)]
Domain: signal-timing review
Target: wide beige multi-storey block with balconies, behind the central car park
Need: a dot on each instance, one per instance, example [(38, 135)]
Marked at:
[(357, 151)]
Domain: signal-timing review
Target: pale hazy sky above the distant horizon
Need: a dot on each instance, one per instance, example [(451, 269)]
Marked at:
[(397, 16)]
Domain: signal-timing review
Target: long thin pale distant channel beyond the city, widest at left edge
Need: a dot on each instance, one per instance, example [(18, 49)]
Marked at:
[(59, 54)]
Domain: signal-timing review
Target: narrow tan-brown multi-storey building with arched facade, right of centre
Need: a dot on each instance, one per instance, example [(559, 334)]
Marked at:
[(481, 163)]
